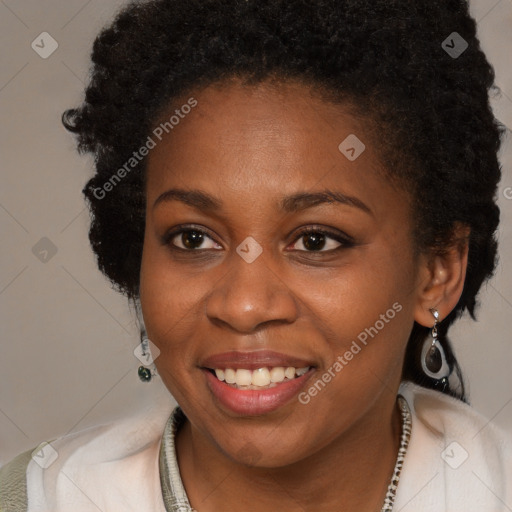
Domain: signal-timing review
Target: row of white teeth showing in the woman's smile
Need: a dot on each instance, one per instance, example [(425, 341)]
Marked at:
[(259, 378)]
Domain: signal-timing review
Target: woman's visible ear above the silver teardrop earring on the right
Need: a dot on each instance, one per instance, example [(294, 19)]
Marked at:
[(441, 278)]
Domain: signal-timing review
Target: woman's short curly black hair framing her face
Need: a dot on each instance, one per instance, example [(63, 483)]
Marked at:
[(435, 129)]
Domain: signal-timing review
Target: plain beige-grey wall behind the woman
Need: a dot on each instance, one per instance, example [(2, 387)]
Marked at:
[(67, 339)]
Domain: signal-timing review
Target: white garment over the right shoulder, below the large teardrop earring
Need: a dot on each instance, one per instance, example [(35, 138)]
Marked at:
[(456, 460)]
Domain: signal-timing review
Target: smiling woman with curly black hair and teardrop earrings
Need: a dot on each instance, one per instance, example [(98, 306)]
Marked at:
[(299, 198)]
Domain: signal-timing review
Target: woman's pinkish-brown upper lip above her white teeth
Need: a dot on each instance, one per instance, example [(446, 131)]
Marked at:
[(252, 360)]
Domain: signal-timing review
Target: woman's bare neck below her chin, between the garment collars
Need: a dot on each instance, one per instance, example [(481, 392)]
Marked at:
[(351, 473)]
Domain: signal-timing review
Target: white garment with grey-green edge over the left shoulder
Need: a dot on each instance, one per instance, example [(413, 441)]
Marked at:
[(112, 466)]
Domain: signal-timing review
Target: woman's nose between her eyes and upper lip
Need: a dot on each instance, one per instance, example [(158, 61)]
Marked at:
[(249, 296)]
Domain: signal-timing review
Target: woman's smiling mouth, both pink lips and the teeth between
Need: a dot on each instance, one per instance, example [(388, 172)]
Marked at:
[(254, 383)]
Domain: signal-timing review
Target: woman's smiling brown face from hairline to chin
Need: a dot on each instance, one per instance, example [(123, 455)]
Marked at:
[(230, 282)]
